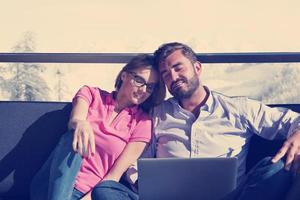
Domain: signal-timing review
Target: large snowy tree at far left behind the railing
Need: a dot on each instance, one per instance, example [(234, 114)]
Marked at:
[(25, 82)]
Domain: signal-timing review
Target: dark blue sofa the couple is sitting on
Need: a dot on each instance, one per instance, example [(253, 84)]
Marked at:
[(30, 130)]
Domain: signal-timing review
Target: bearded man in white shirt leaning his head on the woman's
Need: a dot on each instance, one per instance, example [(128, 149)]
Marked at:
[(198, 122)]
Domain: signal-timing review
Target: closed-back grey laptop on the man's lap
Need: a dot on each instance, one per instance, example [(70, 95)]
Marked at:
[(186, 178)]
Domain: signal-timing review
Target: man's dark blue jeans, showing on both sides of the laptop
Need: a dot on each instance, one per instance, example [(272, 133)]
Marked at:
[(266, 180)]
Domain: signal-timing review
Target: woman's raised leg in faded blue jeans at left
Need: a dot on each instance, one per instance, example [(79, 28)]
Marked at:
[(55, 180)]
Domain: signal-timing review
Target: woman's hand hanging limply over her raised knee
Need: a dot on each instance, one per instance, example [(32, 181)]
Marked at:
[(83, 140)]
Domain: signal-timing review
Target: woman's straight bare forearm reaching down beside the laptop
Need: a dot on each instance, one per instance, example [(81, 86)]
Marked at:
[(130, 154)]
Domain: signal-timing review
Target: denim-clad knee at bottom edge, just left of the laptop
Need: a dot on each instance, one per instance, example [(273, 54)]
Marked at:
[(112, 190)]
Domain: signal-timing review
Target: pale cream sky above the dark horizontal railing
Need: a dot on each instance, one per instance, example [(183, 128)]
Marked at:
[(142, 25)]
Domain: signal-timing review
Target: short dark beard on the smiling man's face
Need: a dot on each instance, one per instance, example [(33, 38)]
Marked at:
[(184, 93)]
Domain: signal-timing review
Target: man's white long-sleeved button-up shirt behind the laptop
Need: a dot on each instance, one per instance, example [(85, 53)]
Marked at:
[(223, 128)]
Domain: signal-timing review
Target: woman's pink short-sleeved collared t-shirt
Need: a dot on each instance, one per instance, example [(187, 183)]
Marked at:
[(131, 124)]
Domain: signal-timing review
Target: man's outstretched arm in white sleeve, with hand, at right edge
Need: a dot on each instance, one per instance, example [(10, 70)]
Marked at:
[(271, 123)]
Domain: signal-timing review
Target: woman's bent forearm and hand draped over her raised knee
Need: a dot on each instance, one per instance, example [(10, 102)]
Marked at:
[(83, 140)]
